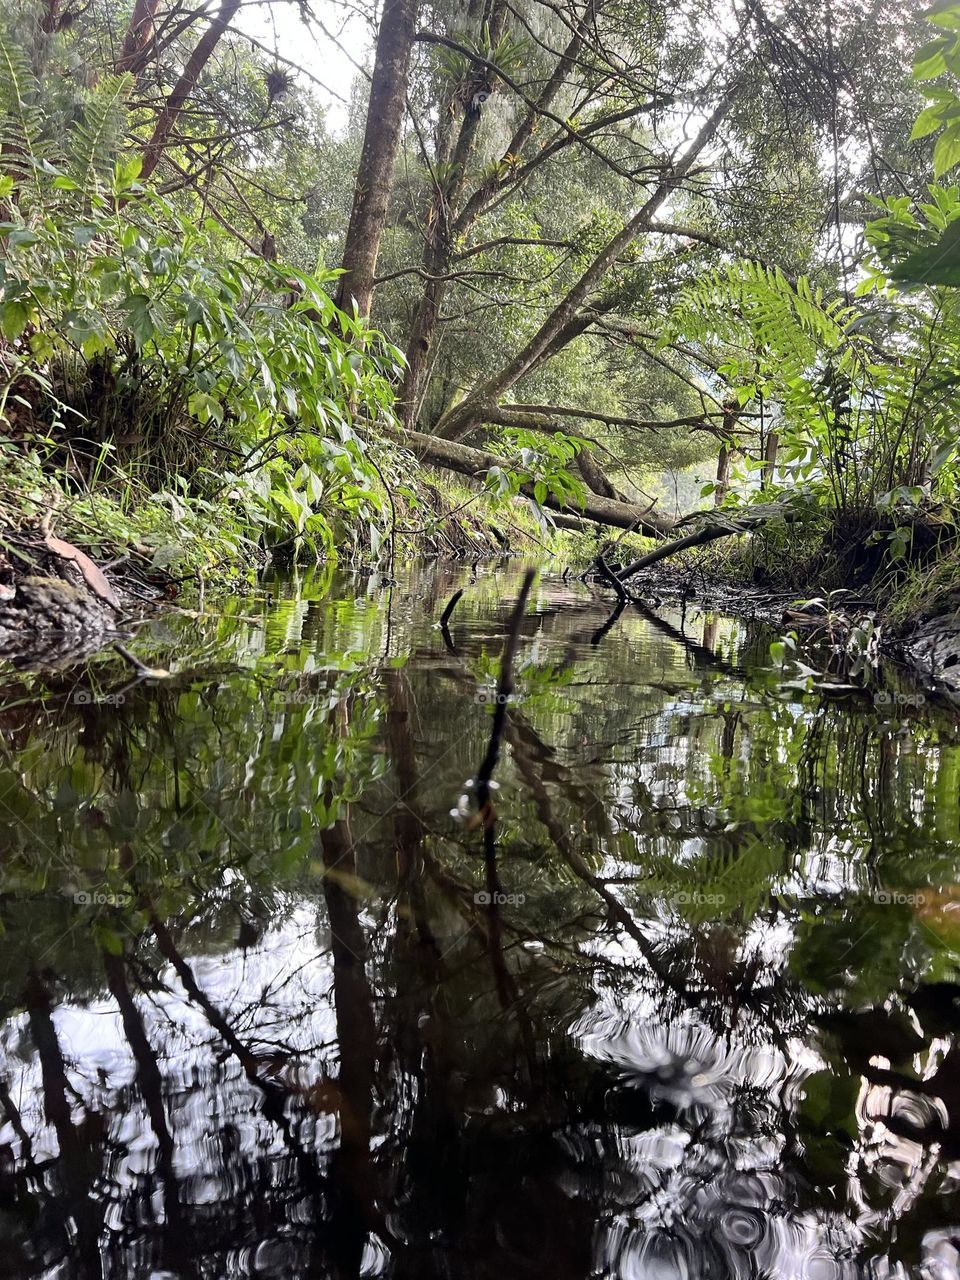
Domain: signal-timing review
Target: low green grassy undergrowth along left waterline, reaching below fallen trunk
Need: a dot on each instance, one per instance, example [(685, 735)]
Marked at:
[(222, 537)]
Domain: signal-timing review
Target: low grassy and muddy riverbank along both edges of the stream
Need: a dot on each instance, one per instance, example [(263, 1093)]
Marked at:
[(79, 570)]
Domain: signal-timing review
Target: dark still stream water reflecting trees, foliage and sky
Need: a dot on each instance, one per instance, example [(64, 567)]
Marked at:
[(259, 1020)]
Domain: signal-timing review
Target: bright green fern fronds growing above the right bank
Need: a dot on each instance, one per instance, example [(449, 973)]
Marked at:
[(860, 394)]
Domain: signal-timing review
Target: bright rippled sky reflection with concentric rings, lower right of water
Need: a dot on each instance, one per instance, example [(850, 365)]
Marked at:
[(712, 1197)]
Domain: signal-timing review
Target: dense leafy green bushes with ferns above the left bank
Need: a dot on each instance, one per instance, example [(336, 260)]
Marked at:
[(140, 342)]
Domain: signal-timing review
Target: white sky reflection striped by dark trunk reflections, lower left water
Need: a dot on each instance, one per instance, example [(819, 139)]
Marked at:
[(278, 999)]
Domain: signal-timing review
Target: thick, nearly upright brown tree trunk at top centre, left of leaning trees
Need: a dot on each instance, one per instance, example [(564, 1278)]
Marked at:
[(378, 158)]
